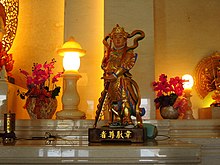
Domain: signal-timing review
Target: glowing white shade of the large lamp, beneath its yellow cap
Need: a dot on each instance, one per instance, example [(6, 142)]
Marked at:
[(71, 61)]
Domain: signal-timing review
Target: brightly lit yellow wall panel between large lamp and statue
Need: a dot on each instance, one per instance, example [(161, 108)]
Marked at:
[(84, 21)]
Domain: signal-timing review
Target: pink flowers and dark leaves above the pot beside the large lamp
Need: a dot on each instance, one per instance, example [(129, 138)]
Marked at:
[(40, 83)]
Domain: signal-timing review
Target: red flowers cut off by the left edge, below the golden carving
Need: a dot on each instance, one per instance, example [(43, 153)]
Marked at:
[(6, 60)]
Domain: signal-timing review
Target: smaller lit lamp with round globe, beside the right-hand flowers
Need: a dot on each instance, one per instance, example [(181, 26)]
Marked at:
[(187, 85)]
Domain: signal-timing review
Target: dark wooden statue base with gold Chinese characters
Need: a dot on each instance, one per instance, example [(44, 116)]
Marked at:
[(106, 134)]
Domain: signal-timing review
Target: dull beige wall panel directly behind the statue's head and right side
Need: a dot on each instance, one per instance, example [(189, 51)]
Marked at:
[(136, 15)]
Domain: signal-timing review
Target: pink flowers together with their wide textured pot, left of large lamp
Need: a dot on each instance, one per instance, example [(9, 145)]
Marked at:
[(41, 102)]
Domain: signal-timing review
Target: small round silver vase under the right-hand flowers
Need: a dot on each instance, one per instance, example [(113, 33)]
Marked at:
[(169, 112)]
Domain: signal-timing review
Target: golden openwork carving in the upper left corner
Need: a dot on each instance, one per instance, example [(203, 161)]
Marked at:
[(11, 9)]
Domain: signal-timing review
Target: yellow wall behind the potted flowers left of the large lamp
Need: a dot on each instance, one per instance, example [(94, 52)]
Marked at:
[(40, 32)]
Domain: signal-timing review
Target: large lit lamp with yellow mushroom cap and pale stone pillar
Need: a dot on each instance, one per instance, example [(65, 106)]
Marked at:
[(71, 52)]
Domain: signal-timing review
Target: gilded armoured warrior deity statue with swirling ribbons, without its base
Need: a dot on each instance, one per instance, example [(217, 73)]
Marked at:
[(121, 96)]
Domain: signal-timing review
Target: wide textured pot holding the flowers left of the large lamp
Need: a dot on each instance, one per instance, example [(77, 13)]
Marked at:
[(41, 108)]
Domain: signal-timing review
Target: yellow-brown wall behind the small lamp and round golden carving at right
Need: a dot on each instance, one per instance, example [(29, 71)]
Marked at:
[(185, 32)]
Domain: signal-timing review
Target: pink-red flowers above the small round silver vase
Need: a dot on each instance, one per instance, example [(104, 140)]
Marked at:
[(170, 93)]
